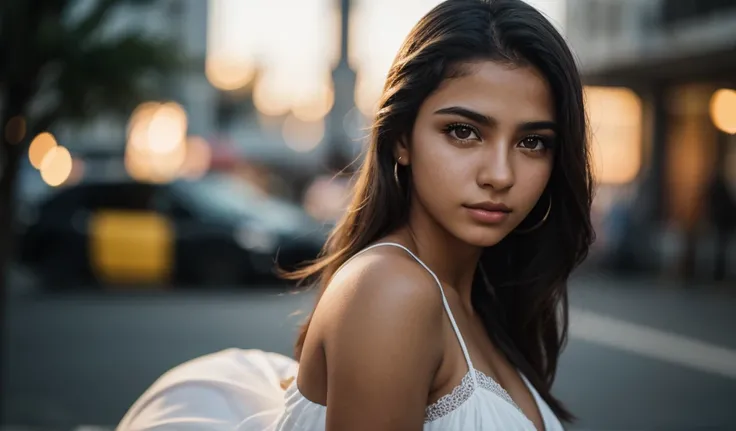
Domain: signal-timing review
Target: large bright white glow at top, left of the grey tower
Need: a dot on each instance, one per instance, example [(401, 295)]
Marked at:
[(294, 65)]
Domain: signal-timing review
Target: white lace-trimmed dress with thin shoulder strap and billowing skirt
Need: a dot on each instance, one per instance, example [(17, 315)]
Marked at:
[(241, 390)]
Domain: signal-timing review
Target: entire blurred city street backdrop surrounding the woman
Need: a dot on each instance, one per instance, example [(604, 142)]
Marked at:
[(158, 157)]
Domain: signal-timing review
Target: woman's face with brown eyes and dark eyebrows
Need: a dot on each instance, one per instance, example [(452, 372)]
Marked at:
[(482, 151)]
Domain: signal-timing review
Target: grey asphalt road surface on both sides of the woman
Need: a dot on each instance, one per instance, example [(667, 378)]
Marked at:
[(83, 358)]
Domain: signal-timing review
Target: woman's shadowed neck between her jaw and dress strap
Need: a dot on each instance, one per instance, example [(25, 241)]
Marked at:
[(453, 261)]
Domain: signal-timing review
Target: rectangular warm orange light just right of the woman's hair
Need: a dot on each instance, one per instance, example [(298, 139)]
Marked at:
[(616, 133)]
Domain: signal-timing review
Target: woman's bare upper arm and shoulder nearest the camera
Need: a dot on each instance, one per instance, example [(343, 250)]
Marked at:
[(382, 346)]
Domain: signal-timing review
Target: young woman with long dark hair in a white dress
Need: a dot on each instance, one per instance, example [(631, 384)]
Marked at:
[(443, 301)]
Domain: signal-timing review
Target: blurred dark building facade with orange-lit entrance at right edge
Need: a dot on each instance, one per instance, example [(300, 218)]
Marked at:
[(675, 55)]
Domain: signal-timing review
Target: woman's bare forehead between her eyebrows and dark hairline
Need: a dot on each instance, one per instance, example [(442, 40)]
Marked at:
[(506, 92)]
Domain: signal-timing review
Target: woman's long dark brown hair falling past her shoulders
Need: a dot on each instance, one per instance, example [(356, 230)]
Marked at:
[(521, 290)]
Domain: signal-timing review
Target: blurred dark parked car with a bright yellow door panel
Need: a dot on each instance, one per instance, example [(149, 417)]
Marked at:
[(210, 231)]
